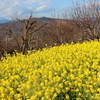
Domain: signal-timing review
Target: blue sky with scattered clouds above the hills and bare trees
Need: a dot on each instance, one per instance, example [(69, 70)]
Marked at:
[(22, 8)]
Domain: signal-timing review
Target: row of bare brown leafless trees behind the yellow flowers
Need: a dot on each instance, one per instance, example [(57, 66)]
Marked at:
[(79, 23)]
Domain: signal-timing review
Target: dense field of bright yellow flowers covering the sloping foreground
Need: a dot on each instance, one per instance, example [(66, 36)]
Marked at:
[(65, 72)]
